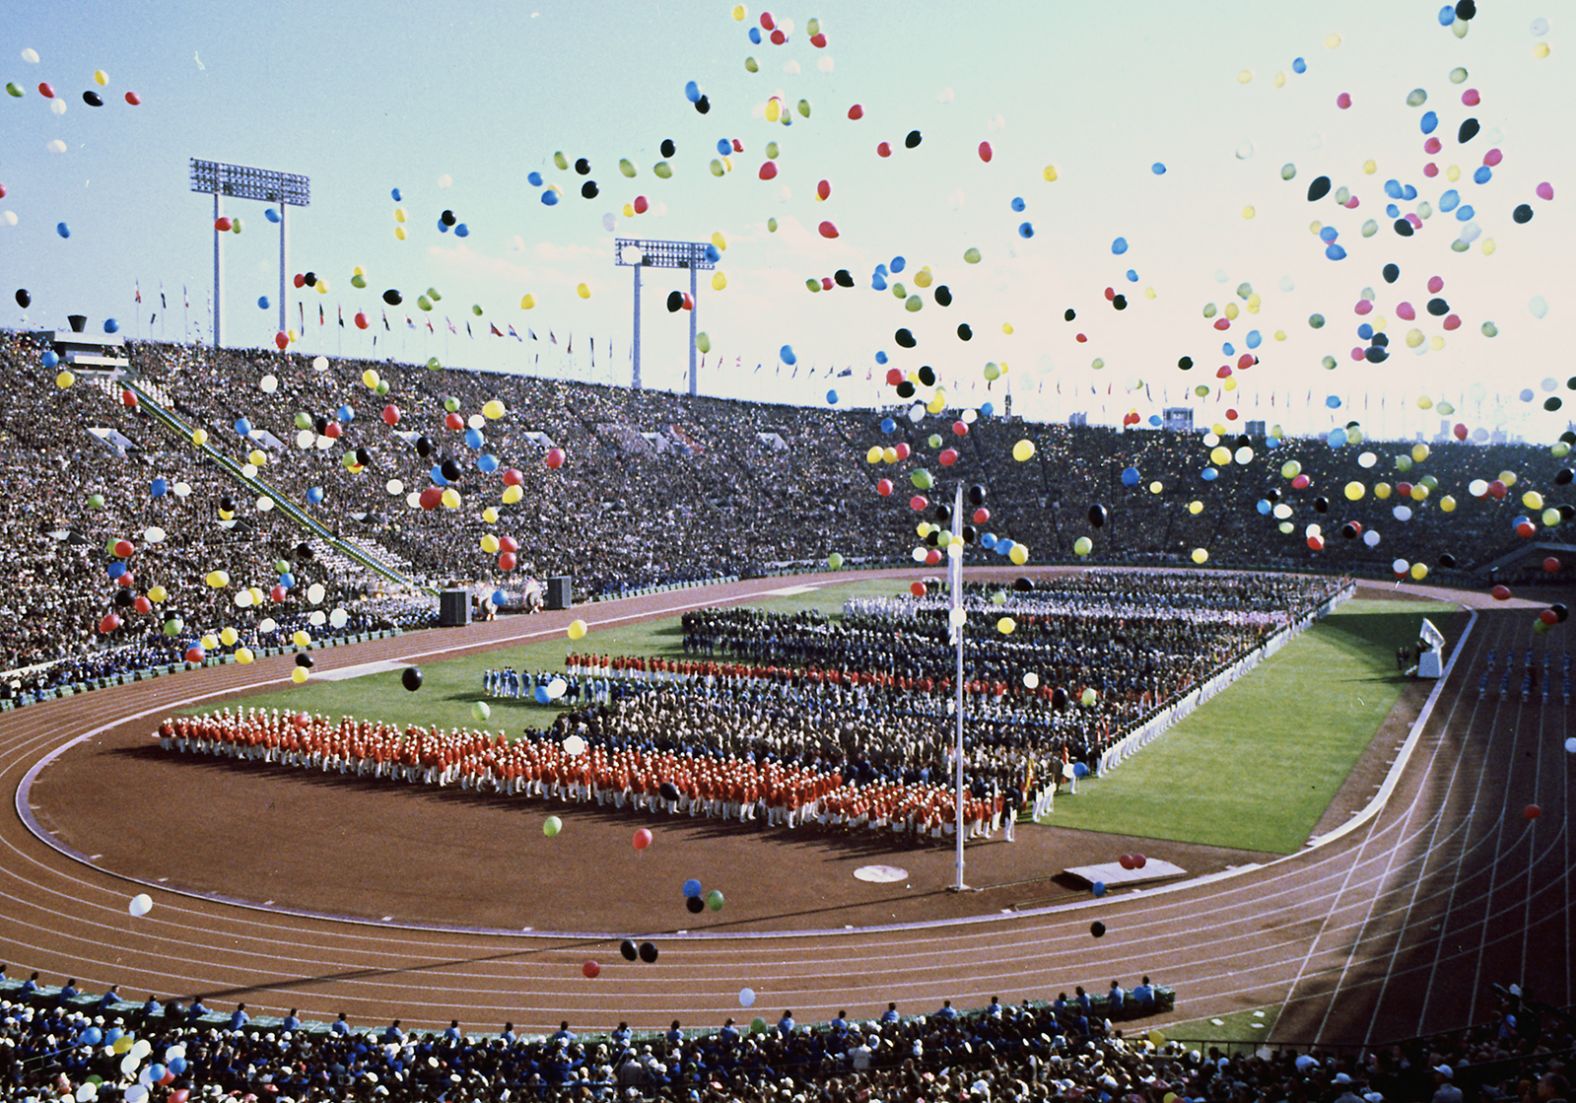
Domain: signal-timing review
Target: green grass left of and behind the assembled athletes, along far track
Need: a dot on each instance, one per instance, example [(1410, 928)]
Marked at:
[(452, 686)]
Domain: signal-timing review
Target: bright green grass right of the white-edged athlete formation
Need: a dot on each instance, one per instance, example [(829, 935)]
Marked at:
[(1260, 763)]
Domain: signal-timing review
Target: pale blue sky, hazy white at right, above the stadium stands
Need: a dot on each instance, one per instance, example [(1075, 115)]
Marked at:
[(456, 105)]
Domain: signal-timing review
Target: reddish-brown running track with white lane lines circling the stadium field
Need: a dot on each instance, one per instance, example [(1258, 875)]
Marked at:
[(1394, 930)]
